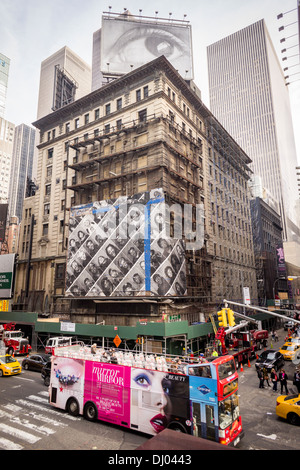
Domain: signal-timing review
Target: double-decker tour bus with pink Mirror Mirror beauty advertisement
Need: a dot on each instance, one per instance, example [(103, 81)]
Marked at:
[(148, 393)]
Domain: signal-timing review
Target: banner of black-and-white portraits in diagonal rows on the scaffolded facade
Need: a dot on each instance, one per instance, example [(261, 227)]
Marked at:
[(121, 248)]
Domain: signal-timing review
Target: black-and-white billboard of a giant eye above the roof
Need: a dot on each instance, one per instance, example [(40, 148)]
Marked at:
[(130, 43)]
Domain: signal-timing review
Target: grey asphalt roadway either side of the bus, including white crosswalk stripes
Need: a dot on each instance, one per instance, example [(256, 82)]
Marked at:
[(28, 422)]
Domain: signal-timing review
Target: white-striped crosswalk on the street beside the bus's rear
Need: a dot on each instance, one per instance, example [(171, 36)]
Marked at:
[(28, 420)]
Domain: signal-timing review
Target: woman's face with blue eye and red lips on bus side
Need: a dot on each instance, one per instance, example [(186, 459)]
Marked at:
[(149, 400)]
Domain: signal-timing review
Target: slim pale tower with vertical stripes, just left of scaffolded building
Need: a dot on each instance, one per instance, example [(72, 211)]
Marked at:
[(21, 168)]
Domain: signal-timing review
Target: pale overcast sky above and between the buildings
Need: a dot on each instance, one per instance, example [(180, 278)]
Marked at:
[(32, 30)]
